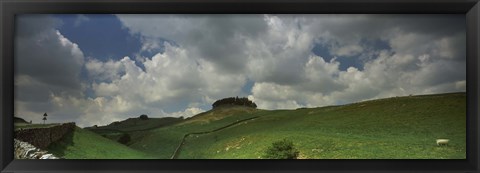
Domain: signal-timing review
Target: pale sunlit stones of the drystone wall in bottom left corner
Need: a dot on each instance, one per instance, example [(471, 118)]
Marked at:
[(24, 150)]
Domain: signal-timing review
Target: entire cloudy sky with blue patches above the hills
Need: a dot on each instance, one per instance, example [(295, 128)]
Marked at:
[(95, 69)]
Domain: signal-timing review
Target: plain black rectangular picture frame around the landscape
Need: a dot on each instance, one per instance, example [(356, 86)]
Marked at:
[(10, 8)]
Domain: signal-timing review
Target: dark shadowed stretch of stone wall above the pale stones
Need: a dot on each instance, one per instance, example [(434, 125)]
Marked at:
[(43, 137)]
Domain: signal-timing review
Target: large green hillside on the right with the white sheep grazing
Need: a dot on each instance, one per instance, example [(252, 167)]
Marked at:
[(399, 128)]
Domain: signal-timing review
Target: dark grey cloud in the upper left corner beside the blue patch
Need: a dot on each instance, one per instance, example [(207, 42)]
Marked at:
[(45, 55)]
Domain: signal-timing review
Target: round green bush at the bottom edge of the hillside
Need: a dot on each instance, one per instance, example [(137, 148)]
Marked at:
[(283, 149)]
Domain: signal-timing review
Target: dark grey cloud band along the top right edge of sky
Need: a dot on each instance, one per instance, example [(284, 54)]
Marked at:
[(349, 27)]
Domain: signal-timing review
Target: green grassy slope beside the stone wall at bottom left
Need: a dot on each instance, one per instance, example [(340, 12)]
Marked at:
[(83, 144)]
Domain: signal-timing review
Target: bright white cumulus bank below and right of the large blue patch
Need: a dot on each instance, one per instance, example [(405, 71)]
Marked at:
[(171, 81)]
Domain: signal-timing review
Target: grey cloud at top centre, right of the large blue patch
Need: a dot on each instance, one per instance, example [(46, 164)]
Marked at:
[(225, 30)]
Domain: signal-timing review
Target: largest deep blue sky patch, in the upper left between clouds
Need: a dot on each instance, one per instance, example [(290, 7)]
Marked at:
[(100, 36)]
